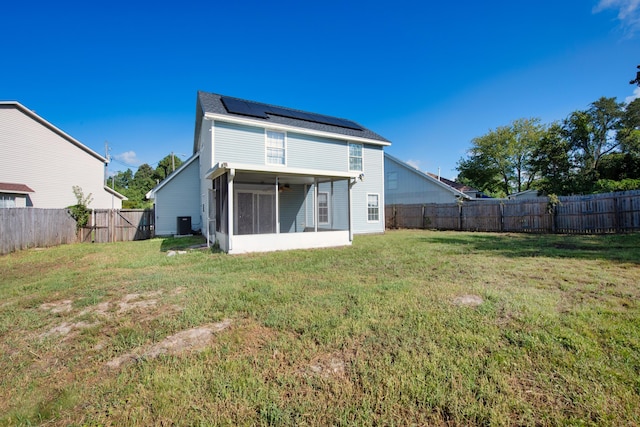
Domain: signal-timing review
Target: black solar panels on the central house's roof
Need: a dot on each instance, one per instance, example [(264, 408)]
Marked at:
[(256, 109)]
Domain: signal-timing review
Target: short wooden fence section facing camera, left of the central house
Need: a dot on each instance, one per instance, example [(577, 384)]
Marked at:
[(118, 225)]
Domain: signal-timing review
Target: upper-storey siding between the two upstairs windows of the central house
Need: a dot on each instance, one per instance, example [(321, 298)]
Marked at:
[(305, 151)]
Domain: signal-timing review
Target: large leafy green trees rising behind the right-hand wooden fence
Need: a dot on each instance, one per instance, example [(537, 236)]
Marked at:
[(592, 150)]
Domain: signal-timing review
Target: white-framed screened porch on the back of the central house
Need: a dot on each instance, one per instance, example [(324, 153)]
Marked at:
[(256, 211)]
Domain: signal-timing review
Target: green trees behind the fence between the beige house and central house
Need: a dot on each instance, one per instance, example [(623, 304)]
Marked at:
[(136, 185)]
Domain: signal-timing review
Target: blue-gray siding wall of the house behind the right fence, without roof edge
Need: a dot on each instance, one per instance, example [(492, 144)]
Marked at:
[(413, 187)]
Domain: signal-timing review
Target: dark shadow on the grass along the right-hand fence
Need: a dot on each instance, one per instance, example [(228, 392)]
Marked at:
[(618, 247)]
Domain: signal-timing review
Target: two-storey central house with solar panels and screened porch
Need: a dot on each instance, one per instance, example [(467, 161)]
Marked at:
[(273, 178)]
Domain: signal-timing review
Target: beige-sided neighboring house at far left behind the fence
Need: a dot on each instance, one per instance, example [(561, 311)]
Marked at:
[(40, 164)]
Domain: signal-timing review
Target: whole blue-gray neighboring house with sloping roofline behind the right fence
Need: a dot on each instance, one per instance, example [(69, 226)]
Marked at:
[(406, 185)]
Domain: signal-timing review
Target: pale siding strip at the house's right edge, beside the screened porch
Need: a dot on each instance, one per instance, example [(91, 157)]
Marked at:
[(373, 183)]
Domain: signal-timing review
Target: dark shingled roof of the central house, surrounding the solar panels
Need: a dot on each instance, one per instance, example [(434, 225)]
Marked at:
[(211, 103)]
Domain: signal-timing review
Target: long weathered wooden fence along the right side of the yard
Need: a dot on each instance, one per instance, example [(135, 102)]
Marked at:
[(592, 214)]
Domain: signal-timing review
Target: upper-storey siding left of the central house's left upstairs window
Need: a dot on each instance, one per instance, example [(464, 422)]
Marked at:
[(236, 143)]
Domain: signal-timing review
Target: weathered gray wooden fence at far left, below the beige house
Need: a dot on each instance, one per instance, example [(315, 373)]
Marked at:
[(22, 228)]
